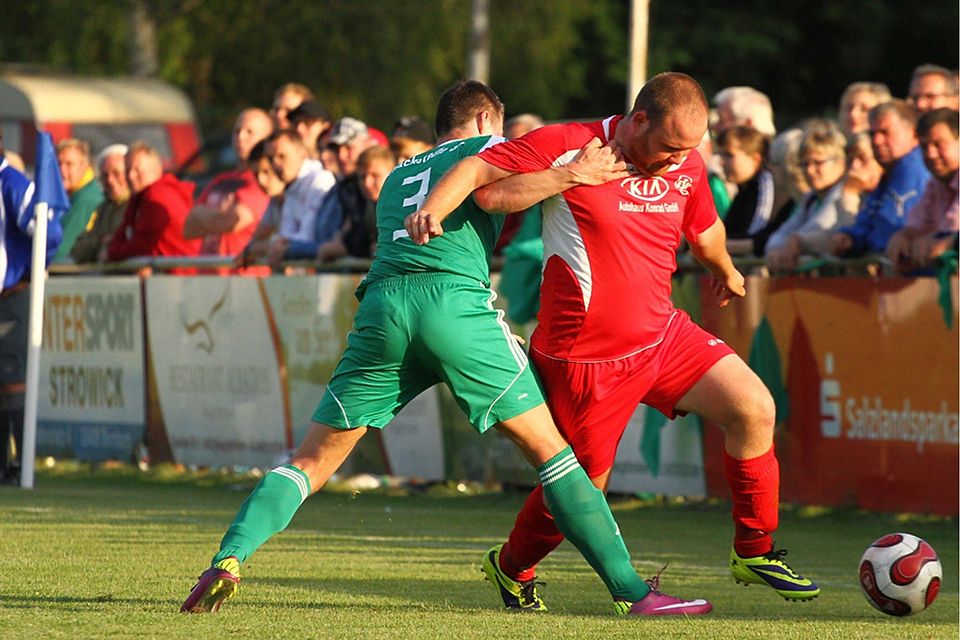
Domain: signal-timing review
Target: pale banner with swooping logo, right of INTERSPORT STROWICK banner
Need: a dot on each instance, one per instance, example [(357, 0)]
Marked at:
[(217, 371)]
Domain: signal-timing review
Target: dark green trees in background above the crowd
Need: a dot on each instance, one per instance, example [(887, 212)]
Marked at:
[(379, 59)]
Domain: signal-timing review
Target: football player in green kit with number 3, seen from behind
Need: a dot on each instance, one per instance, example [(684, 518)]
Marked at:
[(426, 316)]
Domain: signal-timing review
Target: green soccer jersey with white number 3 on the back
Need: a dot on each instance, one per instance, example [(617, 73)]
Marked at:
[(469, 233)]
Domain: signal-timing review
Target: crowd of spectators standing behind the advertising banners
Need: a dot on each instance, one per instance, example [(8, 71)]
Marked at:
[(880, 179)]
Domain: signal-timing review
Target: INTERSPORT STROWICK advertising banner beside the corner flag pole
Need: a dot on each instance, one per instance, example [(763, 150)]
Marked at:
[(91, 394)]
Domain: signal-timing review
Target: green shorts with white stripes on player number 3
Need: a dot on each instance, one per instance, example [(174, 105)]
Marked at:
[(414, 331)]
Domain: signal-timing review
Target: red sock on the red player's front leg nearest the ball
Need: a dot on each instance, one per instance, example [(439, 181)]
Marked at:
[(755, 488)]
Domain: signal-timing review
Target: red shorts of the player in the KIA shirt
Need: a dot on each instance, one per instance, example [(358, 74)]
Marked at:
[(592, 402)]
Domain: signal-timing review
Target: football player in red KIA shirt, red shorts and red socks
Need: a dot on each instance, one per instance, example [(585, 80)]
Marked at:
[(608, 336)]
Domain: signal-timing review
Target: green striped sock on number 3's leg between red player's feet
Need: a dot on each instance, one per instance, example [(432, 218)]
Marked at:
[(583, 516)]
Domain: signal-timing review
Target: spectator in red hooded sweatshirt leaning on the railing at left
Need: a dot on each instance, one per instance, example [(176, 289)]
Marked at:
[(153, 221)]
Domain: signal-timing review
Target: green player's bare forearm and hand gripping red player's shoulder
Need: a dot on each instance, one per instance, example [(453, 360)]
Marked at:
[(595, 164)]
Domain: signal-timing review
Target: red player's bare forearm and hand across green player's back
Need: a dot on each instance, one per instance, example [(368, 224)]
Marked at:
[(453, 188)]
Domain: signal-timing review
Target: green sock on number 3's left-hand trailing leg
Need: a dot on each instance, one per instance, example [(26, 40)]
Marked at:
[(266, 511)]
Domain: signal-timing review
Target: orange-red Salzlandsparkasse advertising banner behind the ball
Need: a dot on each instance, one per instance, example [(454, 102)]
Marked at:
[(866, 376)]
